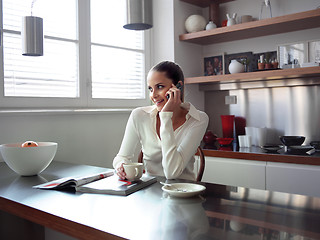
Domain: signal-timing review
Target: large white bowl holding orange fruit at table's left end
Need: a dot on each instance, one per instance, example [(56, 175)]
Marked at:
[(28, 161)]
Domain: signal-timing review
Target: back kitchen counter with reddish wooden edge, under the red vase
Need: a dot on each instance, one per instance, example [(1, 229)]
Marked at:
[(258, 154)]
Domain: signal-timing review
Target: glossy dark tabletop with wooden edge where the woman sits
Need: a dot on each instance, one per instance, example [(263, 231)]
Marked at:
[(222, 212)]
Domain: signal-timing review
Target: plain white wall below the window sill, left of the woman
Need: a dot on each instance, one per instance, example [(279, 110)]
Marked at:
[(85, 138)]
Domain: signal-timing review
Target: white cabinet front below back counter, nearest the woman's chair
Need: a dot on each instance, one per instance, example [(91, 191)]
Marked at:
[(235, 172)]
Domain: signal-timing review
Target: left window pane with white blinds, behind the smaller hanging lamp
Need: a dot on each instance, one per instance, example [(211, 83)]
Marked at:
[(56, 73)]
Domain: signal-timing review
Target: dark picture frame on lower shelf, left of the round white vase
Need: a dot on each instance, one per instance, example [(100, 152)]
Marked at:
[(214, 65)]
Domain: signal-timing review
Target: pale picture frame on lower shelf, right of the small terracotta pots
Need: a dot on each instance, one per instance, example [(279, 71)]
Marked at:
[(292, 55)]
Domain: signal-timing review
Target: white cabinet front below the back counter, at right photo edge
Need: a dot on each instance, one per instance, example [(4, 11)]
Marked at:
[(293, 178)]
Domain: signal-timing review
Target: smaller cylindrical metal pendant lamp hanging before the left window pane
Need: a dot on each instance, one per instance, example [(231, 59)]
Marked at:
[(32, 36)]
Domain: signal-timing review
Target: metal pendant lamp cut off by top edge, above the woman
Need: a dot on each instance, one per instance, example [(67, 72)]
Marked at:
[(139, 14)]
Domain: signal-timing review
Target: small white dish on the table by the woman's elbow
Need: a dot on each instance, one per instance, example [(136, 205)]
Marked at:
[(183, 190)]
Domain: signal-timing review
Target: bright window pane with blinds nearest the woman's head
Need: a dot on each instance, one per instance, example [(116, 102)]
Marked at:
[(117, 54)]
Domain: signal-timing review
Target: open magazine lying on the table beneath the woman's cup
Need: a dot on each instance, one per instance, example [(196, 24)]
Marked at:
[(105, 183)]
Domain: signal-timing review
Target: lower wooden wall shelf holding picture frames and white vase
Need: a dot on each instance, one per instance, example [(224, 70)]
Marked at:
[(260, 75)]
